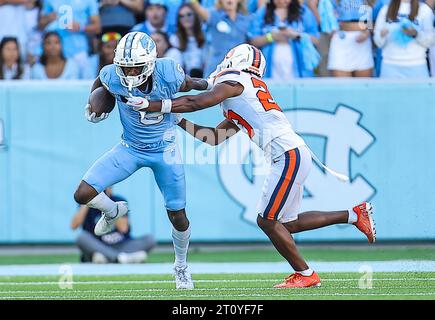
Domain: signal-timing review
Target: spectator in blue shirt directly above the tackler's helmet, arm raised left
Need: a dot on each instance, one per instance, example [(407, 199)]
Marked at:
[(226, 27)]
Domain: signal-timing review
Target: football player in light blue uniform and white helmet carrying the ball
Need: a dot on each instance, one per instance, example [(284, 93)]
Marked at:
[(148, 139)]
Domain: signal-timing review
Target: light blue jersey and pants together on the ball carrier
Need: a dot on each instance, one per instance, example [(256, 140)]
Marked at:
[(148, 139)]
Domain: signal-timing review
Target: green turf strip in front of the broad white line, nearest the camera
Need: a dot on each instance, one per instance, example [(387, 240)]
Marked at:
[(223, 287)]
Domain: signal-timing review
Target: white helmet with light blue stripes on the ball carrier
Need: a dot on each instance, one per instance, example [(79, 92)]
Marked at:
[(135, 49)]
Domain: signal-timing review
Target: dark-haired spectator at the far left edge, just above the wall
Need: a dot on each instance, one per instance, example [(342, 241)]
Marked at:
[(11, 67)]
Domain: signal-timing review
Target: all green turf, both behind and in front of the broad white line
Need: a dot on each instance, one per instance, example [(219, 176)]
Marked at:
[(340, 285)]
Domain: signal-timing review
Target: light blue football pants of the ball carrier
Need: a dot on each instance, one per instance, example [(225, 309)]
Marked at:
[(122, 161)]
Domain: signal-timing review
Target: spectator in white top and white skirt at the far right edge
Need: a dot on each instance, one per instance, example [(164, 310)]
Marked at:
[(405, 59)]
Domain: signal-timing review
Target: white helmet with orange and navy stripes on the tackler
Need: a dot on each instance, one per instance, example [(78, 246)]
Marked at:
[(245, 57)]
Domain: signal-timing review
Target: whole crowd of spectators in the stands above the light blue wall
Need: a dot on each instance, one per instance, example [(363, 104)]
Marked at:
[(74, 39)]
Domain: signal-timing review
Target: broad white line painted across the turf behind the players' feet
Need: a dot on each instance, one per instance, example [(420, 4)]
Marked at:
[(215, 268)]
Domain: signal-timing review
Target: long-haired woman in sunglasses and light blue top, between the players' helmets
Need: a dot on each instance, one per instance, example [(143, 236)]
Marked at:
[(190, 40)]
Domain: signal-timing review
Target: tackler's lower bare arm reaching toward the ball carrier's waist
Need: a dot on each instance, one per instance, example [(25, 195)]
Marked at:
[(211, 136)]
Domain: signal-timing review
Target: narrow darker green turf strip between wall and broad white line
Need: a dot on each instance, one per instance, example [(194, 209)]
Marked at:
[(258, 255)]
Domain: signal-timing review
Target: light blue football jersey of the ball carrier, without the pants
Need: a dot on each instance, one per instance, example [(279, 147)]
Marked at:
[(146, 131)]
